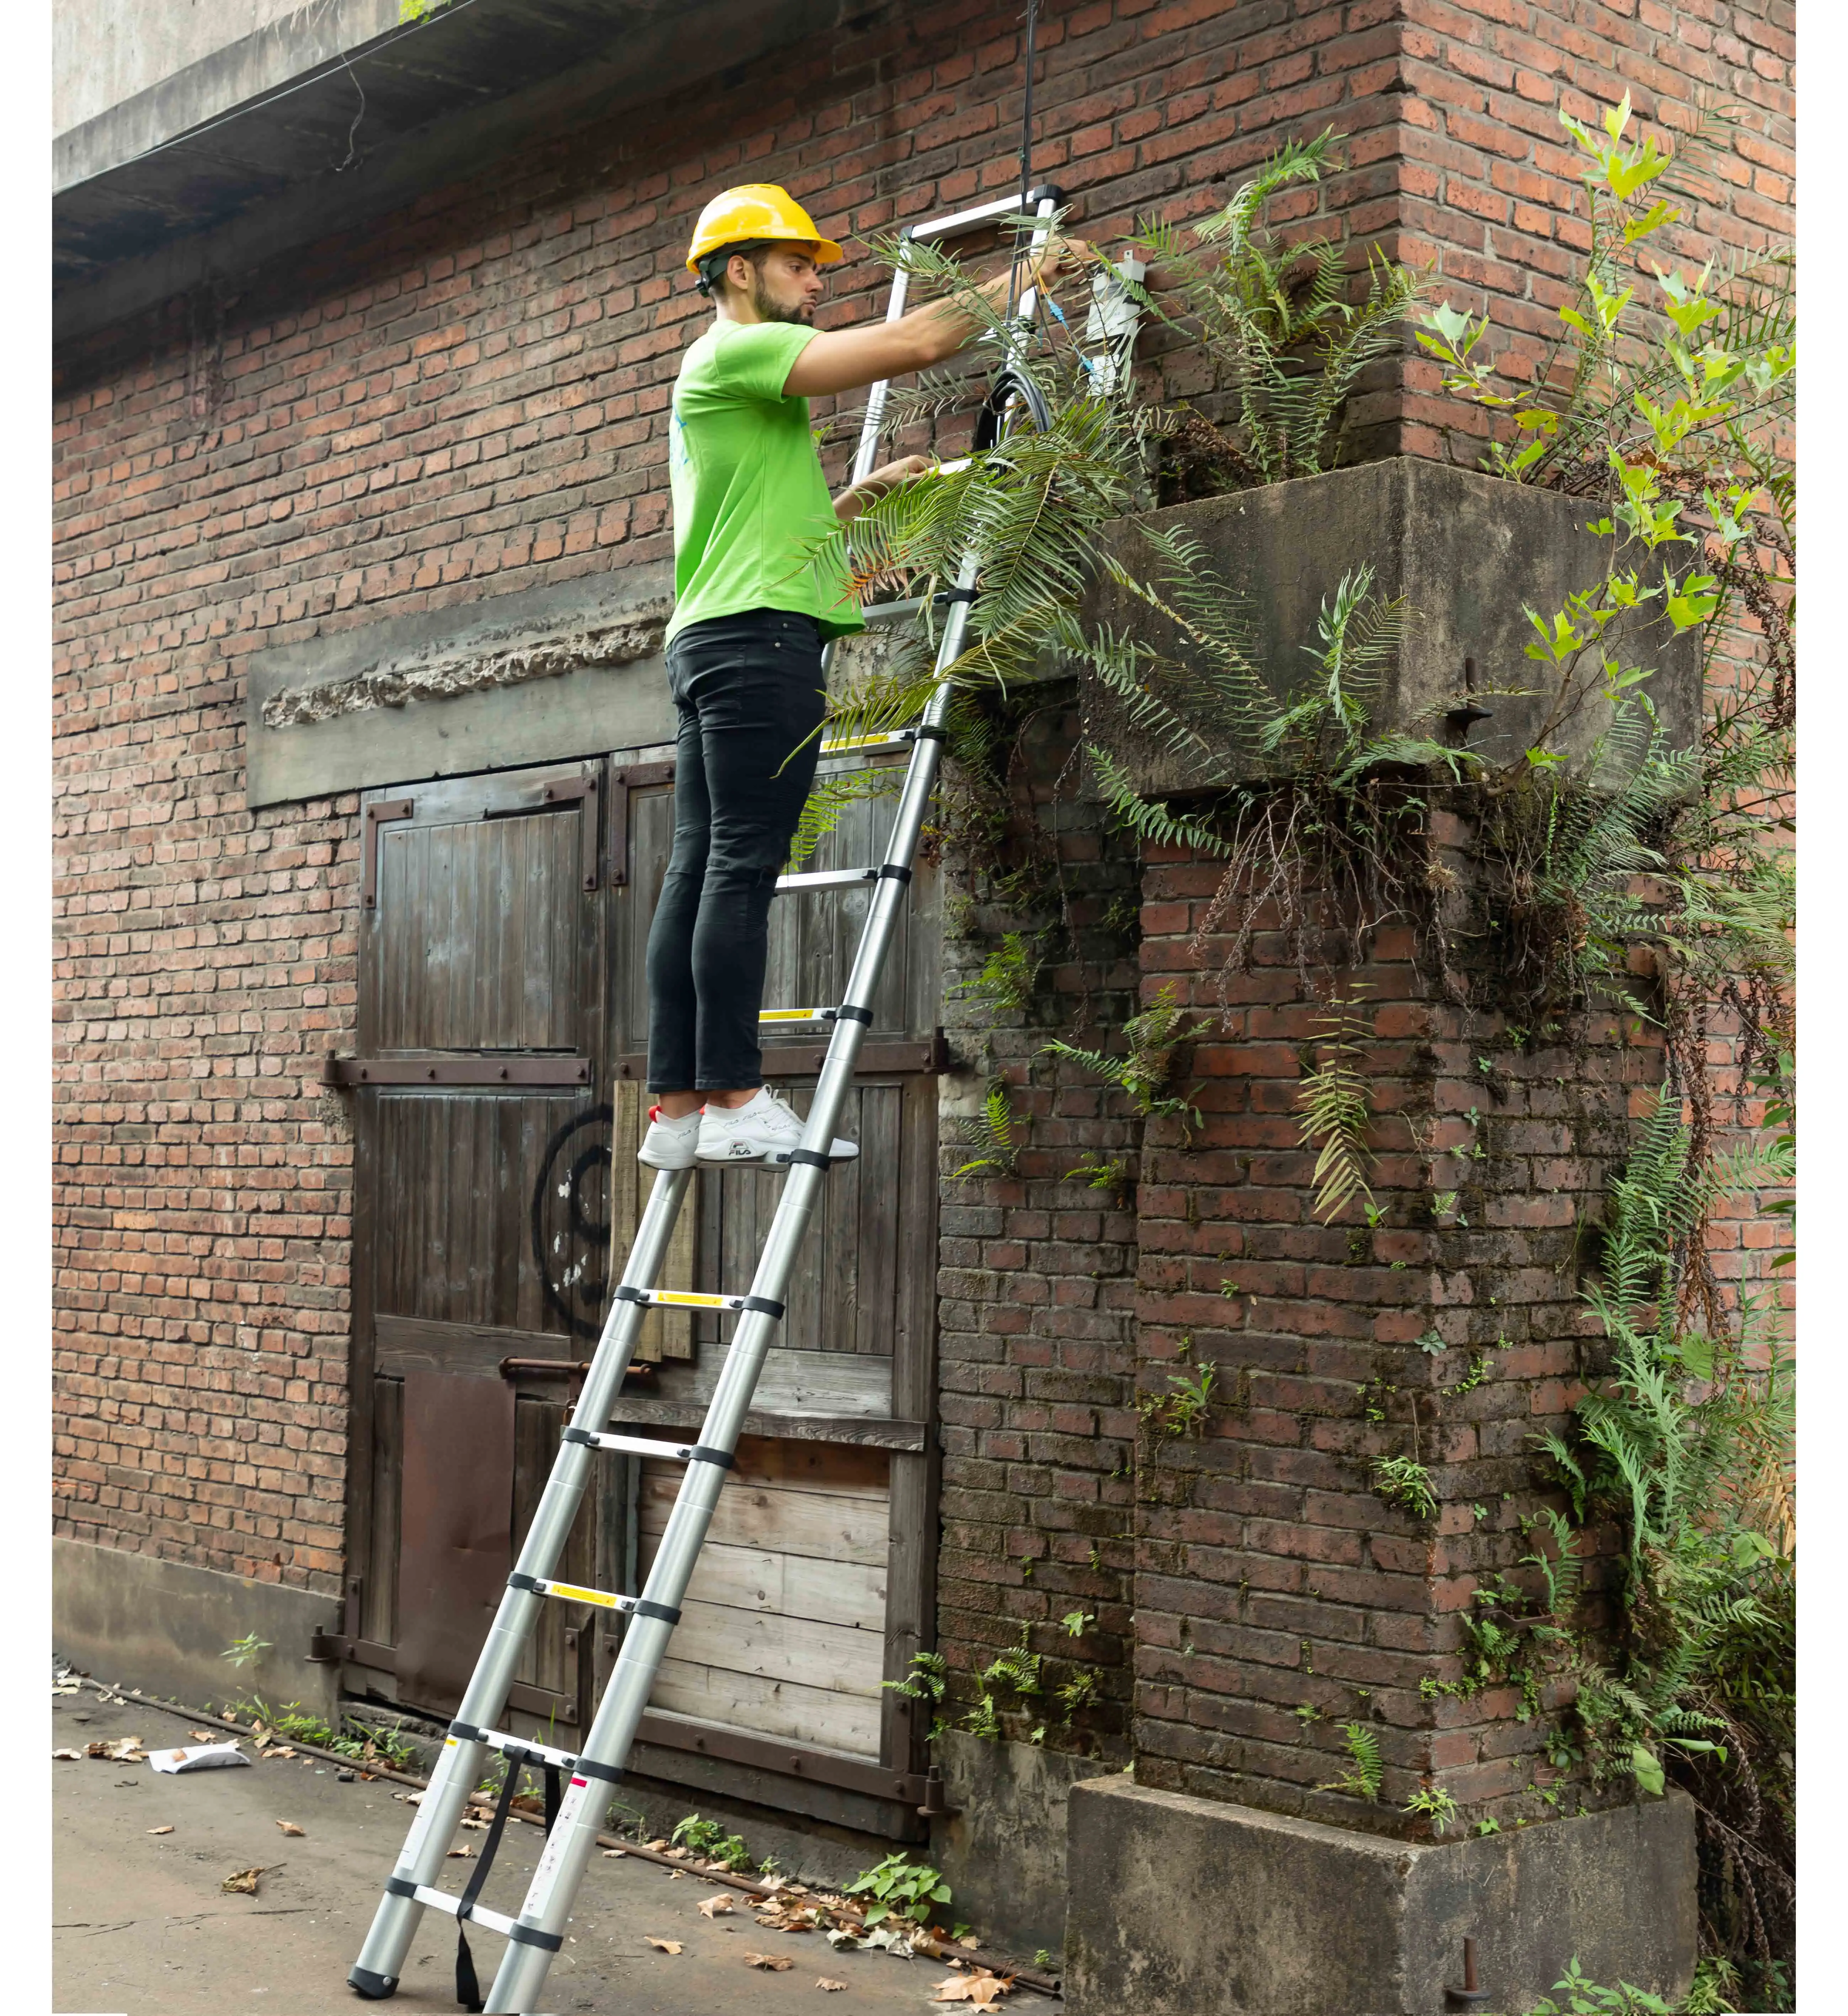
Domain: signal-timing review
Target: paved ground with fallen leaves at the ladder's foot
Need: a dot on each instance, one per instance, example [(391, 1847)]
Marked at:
[(142, 1926)]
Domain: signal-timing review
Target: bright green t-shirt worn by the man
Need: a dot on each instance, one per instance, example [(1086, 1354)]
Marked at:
[(751, 501)]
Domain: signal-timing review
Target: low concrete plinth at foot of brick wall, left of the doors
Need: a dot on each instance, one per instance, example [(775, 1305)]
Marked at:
[(162, 1626)]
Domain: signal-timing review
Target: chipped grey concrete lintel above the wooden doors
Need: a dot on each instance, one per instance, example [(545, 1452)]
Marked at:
[(537, 676)]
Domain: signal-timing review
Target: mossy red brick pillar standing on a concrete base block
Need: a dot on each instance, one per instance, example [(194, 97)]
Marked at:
[(1273, 1578)]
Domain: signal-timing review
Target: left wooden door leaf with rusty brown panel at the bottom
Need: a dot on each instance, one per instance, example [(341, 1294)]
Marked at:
[(483, 1213)]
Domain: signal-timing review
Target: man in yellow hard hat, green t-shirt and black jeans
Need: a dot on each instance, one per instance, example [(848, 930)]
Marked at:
[(759, 594)]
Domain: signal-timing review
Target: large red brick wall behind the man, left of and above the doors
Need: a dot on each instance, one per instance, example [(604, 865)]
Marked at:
[(469, 400)]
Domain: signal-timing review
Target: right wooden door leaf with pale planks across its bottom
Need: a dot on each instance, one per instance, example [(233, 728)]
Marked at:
[(815, 1584)]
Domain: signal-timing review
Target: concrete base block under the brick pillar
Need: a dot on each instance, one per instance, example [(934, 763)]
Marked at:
[(1182, 1906)]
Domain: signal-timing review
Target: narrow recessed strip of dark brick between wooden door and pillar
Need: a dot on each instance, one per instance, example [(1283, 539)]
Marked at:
[(1037, 1338)]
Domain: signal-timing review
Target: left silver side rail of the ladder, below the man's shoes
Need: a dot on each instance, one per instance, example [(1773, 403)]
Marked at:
[(460, 1761)]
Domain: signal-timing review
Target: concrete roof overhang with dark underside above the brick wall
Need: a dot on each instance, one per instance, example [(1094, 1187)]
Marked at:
[(269, 174)]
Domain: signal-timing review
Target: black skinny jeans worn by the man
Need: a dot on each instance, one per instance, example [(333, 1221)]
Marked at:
[(749, 690)]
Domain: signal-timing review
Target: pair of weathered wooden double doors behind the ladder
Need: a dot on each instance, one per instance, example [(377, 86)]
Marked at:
[(499, 1108)]
